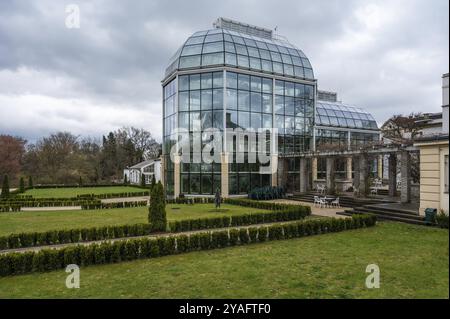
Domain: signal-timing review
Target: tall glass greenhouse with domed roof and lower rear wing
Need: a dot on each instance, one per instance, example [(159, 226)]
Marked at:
[(241, 76)]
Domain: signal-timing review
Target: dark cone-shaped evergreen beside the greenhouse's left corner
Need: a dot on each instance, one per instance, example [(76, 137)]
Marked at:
[(157, 210)]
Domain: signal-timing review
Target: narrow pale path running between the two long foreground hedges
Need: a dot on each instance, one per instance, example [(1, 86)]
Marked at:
[(155, 235)]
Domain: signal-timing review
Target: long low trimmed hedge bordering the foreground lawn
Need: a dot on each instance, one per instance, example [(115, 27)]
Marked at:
[(132, 249)]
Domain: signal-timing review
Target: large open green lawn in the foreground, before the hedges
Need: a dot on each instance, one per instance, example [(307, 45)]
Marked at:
[(413, 262)]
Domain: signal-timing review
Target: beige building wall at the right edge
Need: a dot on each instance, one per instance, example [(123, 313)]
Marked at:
[(432, 176)]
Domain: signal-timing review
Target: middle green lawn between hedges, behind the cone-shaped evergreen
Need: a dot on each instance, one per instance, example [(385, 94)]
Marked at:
[(44, 221)]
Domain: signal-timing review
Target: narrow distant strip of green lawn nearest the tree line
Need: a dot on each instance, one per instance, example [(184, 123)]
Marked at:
[(73, 192)]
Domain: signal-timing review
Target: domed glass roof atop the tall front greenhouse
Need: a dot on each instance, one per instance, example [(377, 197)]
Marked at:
[(225, 47)]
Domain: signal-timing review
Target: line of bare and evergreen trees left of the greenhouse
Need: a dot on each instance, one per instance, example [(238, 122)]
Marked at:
[(64, 158)]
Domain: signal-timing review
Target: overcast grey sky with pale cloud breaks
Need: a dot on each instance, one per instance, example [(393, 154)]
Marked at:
[(385, 56)]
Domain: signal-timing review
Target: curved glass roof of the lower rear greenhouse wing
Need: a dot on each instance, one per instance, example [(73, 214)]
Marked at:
[(342, 115)]
